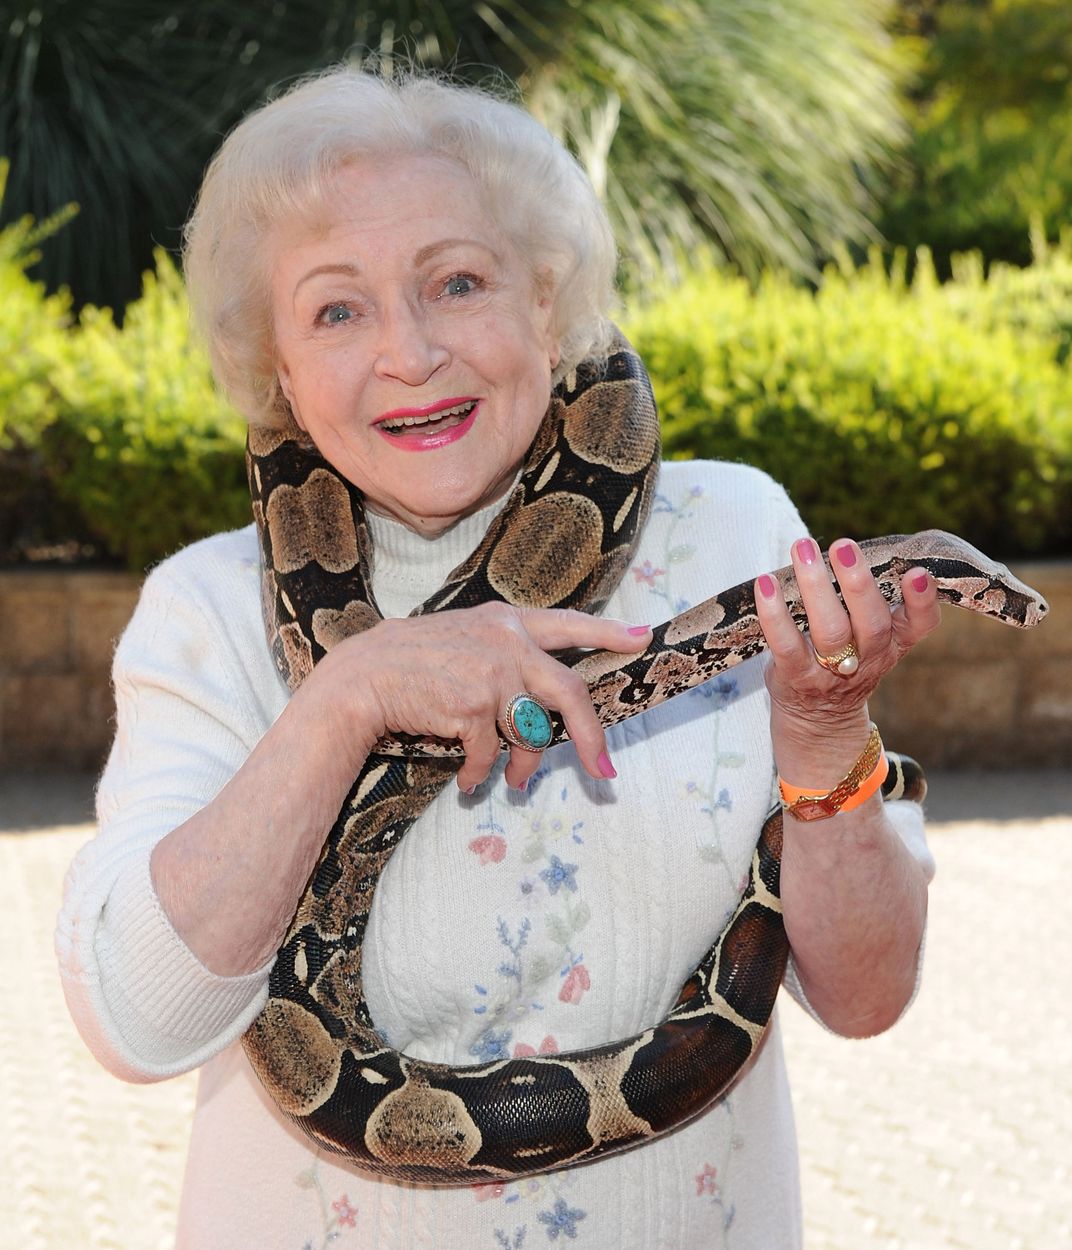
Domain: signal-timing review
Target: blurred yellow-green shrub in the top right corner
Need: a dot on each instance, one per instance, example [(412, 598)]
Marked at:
[(989, 116)]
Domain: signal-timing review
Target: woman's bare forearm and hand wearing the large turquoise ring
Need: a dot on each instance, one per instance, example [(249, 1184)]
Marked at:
[(231, 877)]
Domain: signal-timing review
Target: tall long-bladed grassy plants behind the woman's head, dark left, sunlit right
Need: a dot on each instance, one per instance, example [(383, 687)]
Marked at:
[(754, 127)]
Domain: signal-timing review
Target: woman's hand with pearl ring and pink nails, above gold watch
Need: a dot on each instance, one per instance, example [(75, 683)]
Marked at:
[(819, 719)]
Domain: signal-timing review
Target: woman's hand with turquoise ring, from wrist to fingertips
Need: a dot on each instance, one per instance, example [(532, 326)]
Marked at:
[(452, 674)]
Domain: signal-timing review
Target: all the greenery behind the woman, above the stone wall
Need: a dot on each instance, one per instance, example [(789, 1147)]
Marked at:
[(840, 226)]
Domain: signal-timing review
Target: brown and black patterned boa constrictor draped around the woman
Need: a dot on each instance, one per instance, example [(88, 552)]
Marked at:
[(564, 539)]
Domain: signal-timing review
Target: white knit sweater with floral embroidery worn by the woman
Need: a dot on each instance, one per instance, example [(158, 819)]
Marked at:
[(505, 923)]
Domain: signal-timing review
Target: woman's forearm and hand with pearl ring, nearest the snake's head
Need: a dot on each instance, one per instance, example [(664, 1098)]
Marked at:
[(854, 899)]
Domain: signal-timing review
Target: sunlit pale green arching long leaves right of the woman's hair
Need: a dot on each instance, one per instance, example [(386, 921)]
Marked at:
[(757, 126)]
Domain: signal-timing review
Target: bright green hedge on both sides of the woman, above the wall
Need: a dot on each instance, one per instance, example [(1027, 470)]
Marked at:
[(883, 407)]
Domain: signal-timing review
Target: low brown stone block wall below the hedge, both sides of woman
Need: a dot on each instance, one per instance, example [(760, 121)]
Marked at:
[(976, 696)]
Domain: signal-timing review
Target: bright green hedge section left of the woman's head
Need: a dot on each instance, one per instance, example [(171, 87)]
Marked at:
[(114, 444)]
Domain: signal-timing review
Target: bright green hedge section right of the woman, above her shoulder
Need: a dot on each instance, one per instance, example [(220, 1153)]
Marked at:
[(883, 408)]
